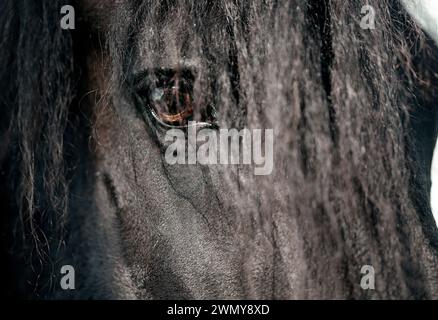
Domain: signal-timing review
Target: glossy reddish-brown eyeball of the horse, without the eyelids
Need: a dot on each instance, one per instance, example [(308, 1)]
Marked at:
[(171, 99)]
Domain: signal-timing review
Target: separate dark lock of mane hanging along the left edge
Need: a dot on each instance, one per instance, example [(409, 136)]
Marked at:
[(37, 88)]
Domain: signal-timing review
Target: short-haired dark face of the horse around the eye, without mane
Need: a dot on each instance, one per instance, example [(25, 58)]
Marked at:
[(176, 227)]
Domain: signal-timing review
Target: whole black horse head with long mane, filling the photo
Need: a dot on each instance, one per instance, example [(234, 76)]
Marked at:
[(84, 181)]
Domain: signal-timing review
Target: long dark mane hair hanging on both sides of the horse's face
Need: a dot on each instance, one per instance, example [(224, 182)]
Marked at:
[(354, 92)]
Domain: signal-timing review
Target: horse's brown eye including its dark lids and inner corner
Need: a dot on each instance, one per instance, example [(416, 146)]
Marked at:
[(167, 95)]
